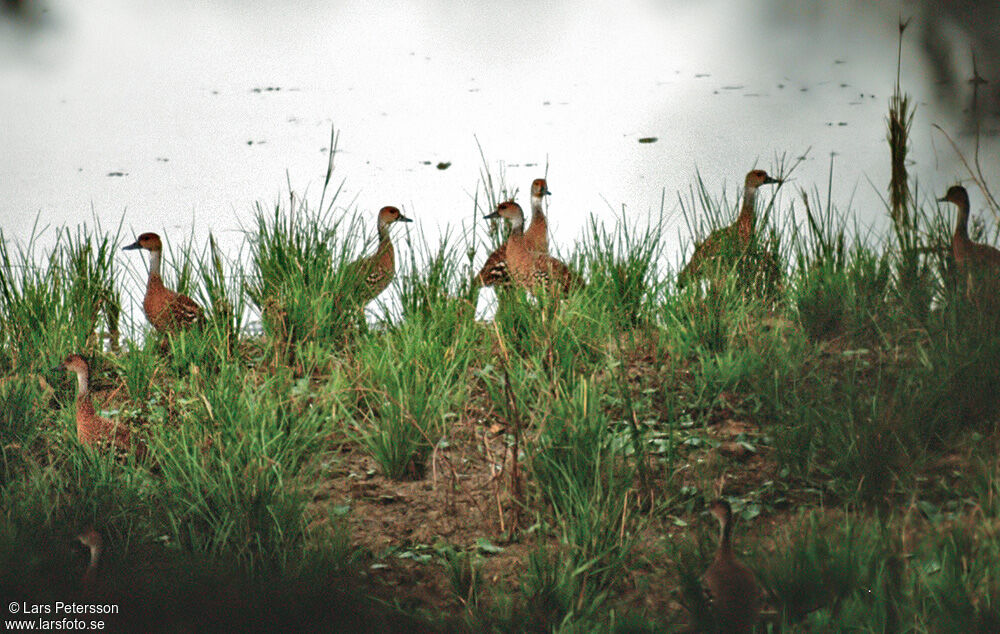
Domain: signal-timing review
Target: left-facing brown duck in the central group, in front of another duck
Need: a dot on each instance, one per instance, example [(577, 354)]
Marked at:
[(530, 268)]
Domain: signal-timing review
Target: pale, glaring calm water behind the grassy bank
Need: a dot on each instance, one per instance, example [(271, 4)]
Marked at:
[(178, 116)]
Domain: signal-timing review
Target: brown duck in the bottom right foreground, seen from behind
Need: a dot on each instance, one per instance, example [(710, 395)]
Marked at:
[(729, 584)]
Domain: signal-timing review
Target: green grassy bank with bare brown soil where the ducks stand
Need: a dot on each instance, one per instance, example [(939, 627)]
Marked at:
[(547, 470)]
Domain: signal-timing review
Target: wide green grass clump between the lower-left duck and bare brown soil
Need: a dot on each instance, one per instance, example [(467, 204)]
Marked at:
[(232, 472)]
